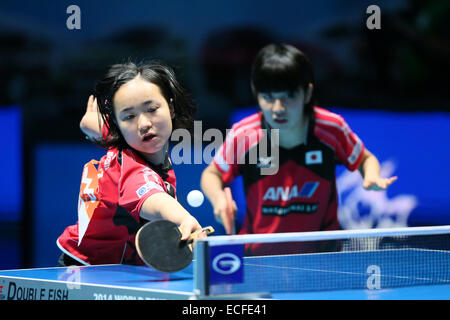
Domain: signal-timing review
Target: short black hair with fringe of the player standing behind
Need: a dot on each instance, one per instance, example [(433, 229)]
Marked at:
[(282, 67)]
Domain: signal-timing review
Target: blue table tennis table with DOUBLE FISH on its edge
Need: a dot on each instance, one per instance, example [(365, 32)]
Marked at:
[(304, 276)]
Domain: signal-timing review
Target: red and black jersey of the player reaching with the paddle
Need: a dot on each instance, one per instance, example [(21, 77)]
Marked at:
[(111, 194)]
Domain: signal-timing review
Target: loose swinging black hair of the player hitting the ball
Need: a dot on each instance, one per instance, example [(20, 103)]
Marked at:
[(155, 72)]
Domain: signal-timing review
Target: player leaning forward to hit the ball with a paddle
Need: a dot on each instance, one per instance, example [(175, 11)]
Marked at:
[(134, 182)]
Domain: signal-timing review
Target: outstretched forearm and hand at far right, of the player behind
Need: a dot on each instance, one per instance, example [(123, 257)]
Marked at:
[(370, 170)]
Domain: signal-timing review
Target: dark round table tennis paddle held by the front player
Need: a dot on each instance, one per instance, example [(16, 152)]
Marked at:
[(159, 245)]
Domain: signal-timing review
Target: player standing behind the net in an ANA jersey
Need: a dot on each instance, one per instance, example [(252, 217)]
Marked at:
[(302, 195)]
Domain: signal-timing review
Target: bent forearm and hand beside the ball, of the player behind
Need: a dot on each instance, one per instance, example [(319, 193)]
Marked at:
[(212, 186)]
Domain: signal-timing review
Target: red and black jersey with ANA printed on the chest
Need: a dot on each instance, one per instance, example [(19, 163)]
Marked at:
[(302, 195)]
